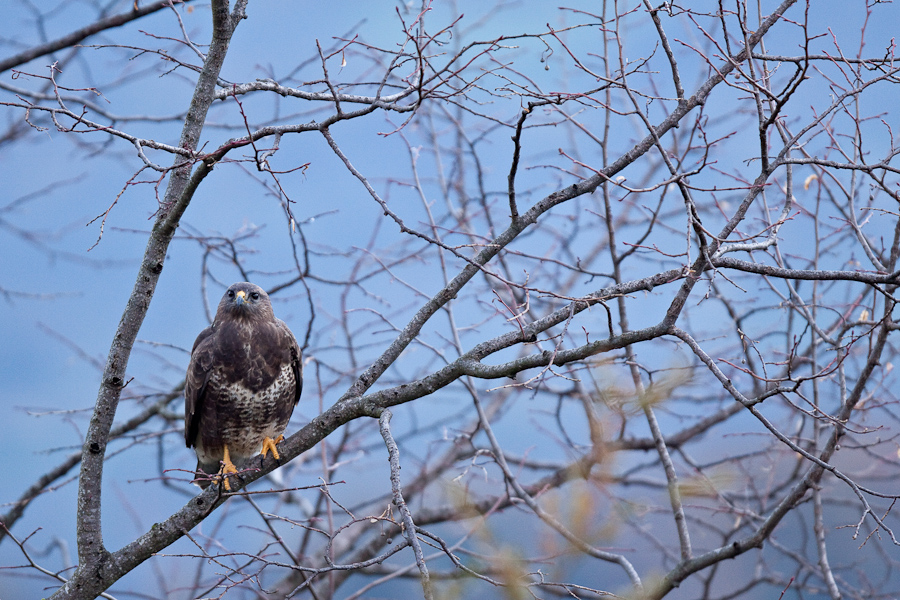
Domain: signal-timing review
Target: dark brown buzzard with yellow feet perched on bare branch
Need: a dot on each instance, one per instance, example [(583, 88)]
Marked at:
[(242, 384)]
